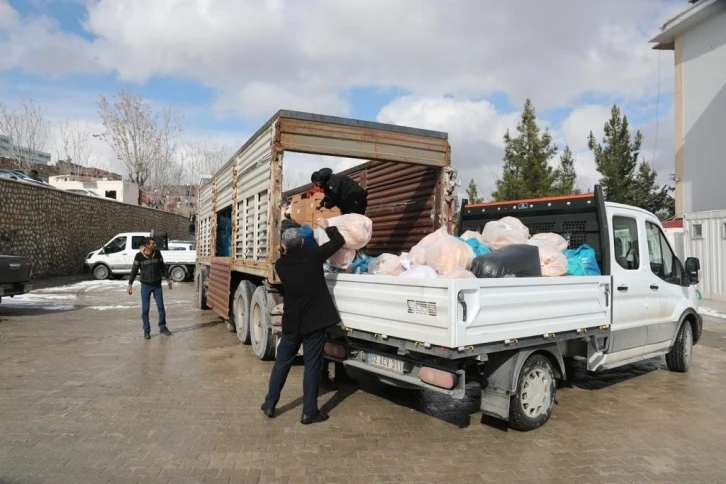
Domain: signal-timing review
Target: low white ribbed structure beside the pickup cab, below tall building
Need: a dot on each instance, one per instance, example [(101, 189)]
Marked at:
[(705, 234)]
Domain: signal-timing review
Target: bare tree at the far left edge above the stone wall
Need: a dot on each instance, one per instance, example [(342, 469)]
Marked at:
[(28, 130)]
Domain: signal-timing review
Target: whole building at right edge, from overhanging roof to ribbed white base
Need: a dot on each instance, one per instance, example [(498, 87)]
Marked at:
[(698, 39)]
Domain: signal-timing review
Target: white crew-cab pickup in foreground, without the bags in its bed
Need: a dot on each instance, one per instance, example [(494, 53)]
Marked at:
[(514, 335)]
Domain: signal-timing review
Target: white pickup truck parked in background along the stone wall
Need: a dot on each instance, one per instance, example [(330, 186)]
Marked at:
[(116, 257)]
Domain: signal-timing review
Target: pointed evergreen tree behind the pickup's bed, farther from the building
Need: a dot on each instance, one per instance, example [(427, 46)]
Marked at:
[(527, 172)]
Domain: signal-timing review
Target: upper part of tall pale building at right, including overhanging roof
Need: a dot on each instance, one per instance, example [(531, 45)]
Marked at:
[(698, 39)]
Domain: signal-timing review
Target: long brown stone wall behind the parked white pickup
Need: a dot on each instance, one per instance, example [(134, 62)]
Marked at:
[(58, 229)]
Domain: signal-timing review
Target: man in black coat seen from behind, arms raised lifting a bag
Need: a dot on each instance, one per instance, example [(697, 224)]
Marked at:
[(309, 311)]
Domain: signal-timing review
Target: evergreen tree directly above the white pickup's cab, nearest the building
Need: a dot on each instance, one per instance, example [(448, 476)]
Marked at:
[(624, 178)]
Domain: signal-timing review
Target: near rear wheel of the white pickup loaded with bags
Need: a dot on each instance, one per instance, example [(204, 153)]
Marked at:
[(532, 404)]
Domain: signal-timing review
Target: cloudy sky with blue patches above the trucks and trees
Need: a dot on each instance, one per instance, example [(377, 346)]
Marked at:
[(460, 66)]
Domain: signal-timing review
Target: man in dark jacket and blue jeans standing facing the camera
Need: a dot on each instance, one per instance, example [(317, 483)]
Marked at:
[(151, 264)]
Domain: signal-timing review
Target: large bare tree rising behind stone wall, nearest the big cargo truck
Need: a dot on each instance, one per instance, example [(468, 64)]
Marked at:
[(143, 140)]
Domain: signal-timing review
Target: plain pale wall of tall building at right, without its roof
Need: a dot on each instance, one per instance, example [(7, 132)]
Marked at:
[(703, 70)]
